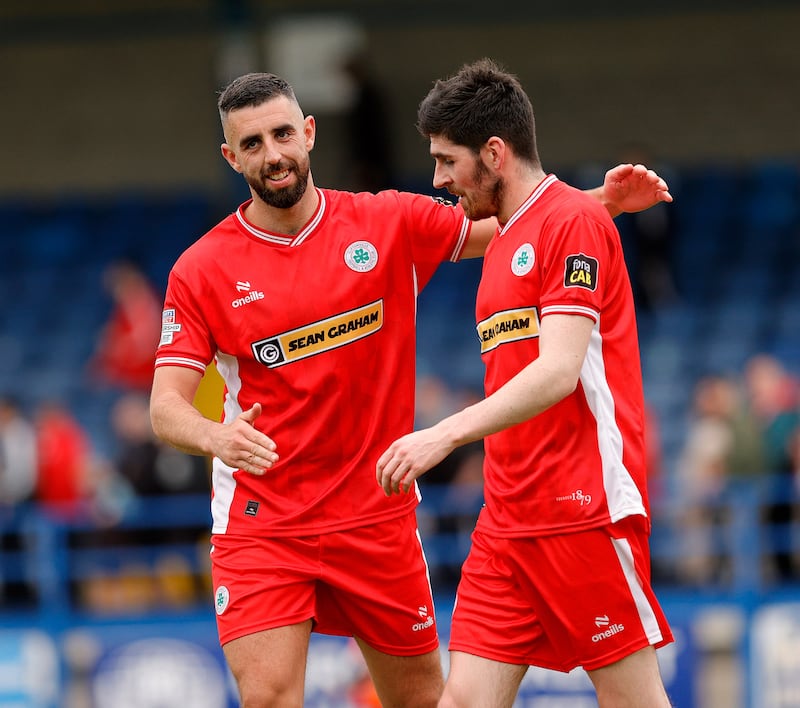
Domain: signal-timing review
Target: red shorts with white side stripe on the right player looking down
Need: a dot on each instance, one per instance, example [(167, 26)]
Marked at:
[(580, 599)]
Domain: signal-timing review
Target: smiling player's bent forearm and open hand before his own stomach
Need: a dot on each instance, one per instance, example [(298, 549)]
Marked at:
[(176, 421)]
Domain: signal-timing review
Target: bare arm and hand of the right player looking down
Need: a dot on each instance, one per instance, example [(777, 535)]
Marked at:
[(563, 342)]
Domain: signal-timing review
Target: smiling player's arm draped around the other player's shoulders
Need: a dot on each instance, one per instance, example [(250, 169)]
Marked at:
[(626, 188)]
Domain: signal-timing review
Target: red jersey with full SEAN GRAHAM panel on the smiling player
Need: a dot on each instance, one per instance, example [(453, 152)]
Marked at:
[(320, 329)]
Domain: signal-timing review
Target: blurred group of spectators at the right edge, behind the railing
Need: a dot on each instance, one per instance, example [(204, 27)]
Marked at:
[(743, 438)]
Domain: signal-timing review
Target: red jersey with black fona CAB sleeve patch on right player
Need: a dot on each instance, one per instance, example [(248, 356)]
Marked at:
[(580, 463)]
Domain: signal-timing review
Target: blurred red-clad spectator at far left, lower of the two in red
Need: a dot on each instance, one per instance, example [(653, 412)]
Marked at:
[(64, 459)]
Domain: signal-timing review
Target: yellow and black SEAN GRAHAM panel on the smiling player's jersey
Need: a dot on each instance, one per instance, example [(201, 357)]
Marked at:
[(321, 336)]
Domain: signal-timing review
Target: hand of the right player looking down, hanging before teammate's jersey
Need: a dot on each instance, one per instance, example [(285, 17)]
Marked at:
[(410, 457)]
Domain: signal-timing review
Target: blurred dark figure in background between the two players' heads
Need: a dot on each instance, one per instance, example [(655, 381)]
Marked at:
[(368, 133)]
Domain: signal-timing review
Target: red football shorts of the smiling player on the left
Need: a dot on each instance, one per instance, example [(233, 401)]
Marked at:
[(370, 582)]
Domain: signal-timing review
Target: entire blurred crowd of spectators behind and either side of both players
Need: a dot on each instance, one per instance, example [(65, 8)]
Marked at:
[(742, 436)]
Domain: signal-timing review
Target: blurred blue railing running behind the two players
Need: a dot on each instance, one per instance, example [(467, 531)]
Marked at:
[(47, 554)]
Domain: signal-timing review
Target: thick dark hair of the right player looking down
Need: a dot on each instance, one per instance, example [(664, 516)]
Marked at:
[(480, 101)]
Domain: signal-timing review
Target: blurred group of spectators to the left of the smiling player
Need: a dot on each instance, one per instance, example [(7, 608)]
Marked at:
[(49, 461)]
